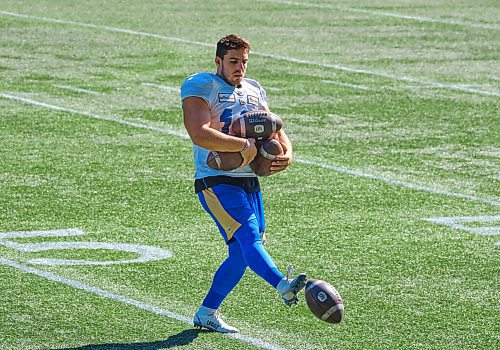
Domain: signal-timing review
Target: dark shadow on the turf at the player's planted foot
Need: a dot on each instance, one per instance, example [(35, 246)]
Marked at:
[(183, 338)]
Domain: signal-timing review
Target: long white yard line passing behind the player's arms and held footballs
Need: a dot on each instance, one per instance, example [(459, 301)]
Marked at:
[(339, 169)]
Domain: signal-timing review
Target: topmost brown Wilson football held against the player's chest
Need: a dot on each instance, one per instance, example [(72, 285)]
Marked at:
[(258, 125)]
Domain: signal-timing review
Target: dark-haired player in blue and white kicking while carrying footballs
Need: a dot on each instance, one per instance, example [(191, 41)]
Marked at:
[(232, 198)]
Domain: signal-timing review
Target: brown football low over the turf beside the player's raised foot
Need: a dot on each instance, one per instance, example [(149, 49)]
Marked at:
[(324, 301)]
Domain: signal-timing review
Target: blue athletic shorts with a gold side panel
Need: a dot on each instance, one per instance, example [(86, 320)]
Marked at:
[(231, 207)]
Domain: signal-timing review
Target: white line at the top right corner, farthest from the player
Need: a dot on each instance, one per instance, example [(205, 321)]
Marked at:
[(387, 14)]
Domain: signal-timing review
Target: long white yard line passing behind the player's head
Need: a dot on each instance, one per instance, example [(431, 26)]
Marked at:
[(276, 57)]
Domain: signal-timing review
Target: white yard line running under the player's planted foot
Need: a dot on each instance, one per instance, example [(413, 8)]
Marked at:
[(126, 300)]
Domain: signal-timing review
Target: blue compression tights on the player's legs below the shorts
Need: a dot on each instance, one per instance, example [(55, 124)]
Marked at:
[(246, 251)]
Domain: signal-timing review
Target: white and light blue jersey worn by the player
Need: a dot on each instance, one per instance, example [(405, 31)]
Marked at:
[(225, 102)]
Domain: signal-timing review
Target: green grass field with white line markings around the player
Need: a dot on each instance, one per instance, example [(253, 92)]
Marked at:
[(393, 108)]
